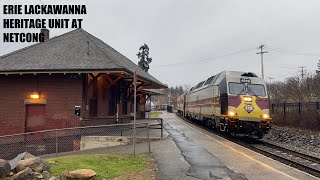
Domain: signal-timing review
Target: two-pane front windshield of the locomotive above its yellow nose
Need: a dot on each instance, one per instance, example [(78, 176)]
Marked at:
[(252, 89)]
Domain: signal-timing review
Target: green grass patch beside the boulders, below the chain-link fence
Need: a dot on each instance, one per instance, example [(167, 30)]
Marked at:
[(107, 166)]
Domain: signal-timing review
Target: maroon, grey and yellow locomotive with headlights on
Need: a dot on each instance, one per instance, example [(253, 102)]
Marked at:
[(233, 102)]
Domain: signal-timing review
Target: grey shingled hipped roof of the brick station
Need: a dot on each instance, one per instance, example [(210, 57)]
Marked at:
[(76, 51)]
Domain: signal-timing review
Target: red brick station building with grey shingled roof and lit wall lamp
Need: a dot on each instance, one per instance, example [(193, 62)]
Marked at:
[(71, 80)]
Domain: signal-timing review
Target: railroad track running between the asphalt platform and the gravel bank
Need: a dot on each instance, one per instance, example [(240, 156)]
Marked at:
[(301, 161)]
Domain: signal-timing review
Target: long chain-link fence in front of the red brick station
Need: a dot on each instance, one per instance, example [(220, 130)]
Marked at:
[(100, 139)]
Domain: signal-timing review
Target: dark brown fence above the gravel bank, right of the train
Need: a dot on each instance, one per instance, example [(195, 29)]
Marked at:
[(304, 115)]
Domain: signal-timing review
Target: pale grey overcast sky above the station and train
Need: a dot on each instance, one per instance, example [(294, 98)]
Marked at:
[(191, 40)]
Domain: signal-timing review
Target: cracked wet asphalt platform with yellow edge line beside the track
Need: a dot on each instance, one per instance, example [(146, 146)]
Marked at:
[(192, 153)]
